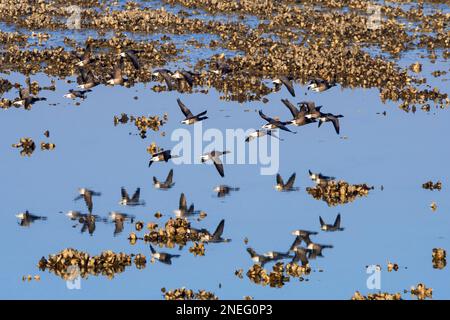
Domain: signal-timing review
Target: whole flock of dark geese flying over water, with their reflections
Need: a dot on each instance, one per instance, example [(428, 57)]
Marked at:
[(306, 112)]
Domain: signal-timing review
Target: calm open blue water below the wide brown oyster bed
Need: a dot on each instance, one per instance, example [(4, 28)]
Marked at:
[(399, 151)]
